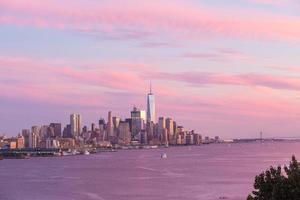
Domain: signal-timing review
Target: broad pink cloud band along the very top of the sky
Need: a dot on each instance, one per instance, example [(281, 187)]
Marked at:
[(135, 20)]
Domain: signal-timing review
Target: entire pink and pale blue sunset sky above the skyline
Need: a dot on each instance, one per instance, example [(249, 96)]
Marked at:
[(221, 67)]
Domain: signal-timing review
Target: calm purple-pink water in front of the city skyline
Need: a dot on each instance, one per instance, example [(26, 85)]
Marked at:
[(206, 172)]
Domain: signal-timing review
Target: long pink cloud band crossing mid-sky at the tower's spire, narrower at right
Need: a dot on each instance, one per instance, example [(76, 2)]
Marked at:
[(67, 84)]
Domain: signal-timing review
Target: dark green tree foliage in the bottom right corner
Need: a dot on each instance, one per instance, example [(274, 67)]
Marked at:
[(278, 184)]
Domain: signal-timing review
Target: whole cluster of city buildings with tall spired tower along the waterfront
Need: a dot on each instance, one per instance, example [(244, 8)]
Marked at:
[(141, 128)]
